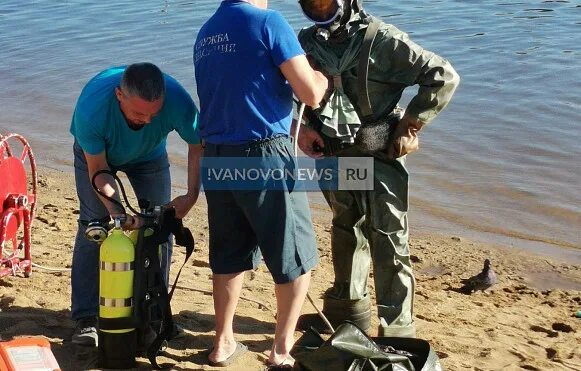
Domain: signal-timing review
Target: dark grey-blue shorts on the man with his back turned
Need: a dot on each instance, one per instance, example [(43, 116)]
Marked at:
[(246, 225)]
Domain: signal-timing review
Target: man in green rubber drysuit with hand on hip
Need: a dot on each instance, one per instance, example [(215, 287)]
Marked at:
[(361, 118)]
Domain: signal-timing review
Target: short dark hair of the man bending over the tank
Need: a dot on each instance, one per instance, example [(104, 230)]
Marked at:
[(144, 80)]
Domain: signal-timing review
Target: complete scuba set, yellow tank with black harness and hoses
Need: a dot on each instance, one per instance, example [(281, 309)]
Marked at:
[(134, 297)]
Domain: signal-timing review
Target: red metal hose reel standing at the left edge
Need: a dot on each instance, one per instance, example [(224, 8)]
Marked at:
[(17, 205)]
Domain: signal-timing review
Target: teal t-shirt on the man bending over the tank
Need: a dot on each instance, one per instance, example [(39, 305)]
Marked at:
[(98, 124)]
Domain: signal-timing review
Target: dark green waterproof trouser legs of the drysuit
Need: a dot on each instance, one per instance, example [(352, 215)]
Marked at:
[(372, 227)]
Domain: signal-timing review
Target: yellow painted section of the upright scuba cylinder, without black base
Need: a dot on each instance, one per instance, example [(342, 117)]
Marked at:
[(117, 256)]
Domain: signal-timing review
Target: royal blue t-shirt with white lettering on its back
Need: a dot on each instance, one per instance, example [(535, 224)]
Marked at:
[(243, 94)]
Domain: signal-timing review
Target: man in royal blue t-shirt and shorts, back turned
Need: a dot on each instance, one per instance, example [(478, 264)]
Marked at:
[(248, 63)]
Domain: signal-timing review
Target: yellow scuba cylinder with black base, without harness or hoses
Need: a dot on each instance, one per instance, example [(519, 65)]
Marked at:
[(117, 348)]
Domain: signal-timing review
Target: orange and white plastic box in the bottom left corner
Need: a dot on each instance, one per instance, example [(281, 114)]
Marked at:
[(27, 353)]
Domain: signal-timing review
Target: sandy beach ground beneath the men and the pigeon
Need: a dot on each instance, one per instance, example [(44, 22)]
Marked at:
[(526, 321)]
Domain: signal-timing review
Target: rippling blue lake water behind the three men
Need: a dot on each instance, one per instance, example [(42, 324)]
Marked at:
[(500, 164)]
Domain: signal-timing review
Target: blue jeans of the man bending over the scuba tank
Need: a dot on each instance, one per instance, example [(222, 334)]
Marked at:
[(150, 180)]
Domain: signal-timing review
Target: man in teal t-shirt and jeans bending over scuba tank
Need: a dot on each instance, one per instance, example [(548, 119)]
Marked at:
[(121, 122)]
